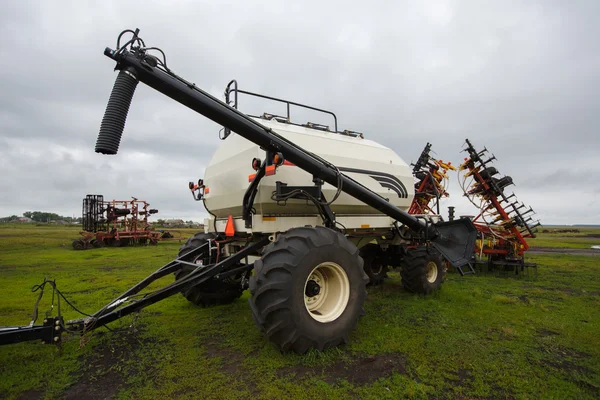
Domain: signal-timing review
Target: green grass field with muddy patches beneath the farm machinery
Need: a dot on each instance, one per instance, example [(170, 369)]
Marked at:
[(479, 337)]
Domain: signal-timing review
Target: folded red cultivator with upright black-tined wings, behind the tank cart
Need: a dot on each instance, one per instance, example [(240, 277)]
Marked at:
[(503, 225)]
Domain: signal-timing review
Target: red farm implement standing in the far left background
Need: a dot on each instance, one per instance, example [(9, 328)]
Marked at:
[(116, 223)]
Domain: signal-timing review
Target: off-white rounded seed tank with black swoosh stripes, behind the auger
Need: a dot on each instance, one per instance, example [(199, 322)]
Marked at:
[(375, 166)]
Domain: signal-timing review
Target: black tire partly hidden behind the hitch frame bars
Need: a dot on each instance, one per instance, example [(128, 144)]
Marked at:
[(213, 291)]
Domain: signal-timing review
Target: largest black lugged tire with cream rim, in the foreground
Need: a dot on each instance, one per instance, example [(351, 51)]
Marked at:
[(308, 289)]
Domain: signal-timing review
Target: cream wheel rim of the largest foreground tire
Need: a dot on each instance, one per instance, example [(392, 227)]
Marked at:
[(334, 292)]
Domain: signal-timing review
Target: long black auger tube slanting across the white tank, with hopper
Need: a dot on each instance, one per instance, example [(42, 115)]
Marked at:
[(455, 239)]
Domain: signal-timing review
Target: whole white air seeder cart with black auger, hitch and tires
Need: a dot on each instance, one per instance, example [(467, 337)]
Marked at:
[(297, 211)]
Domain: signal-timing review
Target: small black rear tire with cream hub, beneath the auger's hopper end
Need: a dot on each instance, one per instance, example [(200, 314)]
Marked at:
[(423, 270)]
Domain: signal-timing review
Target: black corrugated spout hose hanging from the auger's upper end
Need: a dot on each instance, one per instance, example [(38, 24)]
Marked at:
[(115, 115)]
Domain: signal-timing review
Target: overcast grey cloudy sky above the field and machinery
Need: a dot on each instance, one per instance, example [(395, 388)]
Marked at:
[(519, 77)]
